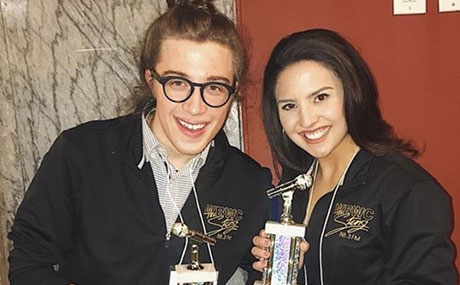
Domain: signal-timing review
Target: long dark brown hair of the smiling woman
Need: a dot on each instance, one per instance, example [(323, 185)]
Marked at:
[(364, 119)]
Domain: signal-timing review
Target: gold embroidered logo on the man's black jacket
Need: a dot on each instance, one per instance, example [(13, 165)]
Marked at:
[(224, 218)]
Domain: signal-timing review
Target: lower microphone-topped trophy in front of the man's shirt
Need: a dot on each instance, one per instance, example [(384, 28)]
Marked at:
[(195, 272)]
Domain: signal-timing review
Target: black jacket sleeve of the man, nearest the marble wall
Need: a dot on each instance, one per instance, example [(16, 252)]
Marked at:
[(42, 233)]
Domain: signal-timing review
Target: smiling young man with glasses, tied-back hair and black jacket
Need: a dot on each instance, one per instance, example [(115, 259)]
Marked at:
[(102, 204)]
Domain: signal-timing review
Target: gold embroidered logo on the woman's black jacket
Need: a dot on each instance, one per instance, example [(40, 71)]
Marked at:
[(352, 218)]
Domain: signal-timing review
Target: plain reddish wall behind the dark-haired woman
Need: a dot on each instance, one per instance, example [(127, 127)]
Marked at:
[(415, 59)]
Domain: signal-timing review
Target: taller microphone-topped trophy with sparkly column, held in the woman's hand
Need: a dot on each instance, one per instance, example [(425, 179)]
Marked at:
[(285, 236)]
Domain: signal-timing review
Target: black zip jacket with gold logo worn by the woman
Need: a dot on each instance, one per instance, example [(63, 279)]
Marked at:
[(390, 223)]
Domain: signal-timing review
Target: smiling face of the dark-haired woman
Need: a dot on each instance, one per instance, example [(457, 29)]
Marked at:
[(311, 107)]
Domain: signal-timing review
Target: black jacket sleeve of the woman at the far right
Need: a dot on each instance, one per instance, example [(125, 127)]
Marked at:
[(418, 249)]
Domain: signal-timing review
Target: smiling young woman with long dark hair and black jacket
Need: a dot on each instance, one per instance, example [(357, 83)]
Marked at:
[(373, 215)]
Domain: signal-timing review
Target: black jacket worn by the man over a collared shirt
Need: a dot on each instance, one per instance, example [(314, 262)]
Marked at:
[(91, 216)]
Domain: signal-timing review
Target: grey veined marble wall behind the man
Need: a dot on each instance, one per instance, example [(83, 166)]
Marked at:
[(64, 62)]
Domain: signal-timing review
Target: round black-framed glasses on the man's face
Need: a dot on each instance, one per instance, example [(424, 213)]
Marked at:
[(179, 89)]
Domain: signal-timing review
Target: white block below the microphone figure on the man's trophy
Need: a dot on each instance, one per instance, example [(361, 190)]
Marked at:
[(183, 275)]
